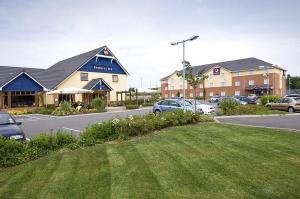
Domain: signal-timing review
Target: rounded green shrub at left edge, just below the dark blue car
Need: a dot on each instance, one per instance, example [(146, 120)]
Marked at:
[(11, 152)]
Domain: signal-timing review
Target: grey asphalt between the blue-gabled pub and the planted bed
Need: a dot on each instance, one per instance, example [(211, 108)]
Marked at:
[(35, 124)]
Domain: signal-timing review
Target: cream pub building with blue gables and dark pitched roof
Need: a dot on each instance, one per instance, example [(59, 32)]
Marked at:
[(97, 73)]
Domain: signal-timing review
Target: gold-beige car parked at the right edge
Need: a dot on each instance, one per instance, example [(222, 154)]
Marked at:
[(289, 104)]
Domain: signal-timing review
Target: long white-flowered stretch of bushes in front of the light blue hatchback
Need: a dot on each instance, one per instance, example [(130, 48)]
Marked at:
[(139, 125)]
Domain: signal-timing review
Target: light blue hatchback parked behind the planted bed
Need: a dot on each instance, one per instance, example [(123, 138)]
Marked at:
[(173, 104)]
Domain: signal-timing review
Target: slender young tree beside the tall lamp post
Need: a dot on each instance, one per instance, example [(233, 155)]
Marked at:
[(194, 79)]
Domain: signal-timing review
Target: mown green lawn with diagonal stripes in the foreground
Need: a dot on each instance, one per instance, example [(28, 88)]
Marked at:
[(200, 161)]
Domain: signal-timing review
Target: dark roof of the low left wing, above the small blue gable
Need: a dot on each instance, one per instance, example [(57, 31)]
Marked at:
[(7, 73)]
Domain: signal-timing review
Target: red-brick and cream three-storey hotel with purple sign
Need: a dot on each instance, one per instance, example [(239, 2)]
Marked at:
[(238, 77)]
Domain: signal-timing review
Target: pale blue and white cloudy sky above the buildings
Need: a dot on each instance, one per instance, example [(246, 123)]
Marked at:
[(39, 33)]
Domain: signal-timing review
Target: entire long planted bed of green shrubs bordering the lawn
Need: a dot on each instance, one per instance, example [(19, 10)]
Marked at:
[(13, 152)]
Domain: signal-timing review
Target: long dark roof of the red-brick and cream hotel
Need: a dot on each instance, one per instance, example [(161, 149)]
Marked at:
[(246, 64)]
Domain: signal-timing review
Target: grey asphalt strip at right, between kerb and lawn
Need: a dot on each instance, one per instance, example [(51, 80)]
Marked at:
[(284, 121)]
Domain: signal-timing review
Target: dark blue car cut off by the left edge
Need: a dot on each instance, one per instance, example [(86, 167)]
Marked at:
[(9, 128)]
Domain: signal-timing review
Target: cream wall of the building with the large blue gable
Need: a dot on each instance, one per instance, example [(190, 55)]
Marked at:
[(74, 81)]
